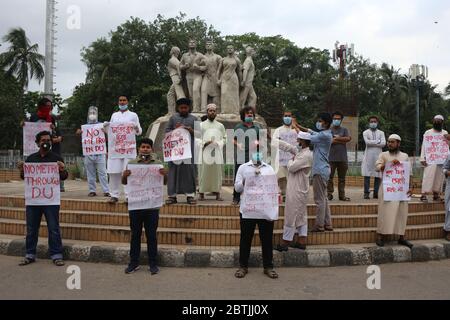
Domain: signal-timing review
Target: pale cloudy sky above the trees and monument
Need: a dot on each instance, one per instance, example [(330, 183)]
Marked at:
[(399, 32)]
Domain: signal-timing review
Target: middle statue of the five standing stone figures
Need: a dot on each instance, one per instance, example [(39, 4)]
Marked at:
[(210, 89)]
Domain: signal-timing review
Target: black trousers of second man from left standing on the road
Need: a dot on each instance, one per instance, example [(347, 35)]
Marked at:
[(149, 219)]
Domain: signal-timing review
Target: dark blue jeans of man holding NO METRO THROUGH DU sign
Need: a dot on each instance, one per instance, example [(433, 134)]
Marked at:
[(33, 217)]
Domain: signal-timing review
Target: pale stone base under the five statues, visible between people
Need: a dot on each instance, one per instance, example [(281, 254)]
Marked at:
[(157, 129)]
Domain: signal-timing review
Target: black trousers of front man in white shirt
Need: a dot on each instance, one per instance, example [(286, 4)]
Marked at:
[(265, 235)]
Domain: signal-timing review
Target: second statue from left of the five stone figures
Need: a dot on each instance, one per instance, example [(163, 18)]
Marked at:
[(194, 65)]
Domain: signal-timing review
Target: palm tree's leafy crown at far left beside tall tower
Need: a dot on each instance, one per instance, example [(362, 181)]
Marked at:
[(22, 59)]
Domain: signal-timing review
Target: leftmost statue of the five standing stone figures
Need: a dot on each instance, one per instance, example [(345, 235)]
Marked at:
[(176, 90)]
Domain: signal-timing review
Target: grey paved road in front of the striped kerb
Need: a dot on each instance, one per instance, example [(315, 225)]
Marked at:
[(42, 280)]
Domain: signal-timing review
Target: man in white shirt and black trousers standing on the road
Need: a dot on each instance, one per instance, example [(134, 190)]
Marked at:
[(248, 225)]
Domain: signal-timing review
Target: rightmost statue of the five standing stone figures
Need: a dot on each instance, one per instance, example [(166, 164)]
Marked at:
[(248, 96)]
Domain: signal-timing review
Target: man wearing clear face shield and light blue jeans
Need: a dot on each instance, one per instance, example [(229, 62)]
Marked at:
[(95, 164)]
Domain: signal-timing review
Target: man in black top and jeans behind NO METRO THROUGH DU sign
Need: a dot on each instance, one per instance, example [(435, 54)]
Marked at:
[(51, 212)]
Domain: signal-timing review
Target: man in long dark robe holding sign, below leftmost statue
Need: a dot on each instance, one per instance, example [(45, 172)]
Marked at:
[(182, 176)]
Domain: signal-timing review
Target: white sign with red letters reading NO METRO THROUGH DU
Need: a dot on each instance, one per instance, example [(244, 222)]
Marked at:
[(42, 184)]
